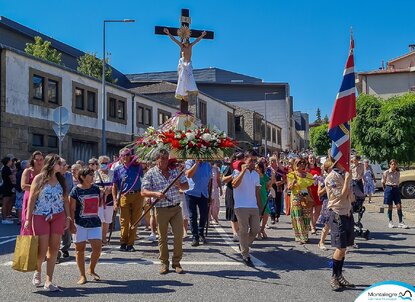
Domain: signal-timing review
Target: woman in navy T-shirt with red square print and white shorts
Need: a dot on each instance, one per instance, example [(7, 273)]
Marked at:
[(86, 224)]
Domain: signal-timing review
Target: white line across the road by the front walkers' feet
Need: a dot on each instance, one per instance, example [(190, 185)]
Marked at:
[(146, 262)]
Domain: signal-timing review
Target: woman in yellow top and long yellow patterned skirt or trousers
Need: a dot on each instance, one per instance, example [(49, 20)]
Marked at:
[(298, 183)]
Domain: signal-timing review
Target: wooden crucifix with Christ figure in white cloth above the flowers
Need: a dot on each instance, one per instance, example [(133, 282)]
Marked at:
[(186, 85)]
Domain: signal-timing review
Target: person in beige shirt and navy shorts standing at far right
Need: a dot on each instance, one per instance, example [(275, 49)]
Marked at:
[(392, 194)]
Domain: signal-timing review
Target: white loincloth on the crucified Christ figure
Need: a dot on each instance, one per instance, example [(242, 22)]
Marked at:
[(186, 84)]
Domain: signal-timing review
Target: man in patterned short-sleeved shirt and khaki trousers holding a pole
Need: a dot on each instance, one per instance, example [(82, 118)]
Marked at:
[(167, 209)]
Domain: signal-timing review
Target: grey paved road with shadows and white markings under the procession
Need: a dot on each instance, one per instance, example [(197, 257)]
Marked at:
[(285, 271)]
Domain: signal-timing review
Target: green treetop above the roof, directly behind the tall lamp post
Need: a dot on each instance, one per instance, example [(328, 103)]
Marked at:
[(90, 65)]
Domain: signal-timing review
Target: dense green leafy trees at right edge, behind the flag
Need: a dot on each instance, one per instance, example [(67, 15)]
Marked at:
[(385, 129)]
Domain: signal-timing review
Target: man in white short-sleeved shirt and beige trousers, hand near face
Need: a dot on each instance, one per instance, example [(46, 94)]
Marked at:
[(248, 205)]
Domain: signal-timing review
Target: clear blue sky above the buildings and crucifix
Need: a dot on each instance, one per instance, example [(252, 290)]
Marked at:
[(304, 43)]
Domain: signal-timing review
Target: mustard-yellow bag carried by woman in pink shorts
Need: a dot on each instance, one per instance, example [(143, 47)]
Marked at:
[(25, 253)]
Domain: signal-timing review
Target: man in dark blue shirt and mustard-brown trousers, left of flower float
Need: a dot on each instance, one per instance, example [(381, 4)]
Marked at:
[(131, 202)]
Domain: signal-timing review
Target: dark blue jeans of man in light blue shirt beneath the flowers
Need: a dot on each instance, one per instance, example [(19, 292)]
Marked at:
[(194, 203)]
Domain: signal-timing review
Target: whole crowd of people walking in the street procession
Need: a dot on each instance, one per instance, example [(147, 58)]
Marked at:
[(64, 204)]
